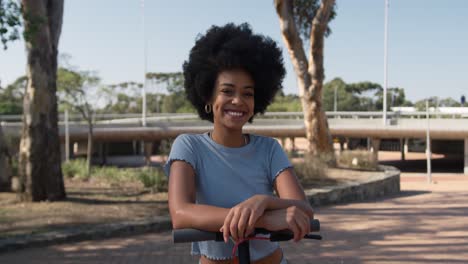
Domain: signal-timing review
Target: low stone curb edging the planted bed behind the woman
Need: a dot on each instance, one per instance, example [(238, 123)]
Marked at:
[(375, 187)]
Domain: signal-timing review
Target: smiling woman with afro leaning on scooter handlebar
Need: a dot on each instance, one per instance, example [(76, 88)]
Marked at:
[(224, 180)]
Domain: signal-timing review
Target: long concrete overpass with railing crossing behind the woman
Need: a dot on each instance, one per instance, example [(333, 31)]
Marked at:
[(281, 125)]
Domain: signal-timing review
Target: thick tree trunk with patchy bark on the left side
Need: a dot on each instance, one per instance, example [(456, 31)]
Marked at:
[(40, 161)]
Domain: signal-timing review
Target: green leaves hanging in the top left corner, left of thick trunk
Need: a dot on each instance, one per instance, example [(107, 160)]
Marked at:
[(10, 21)]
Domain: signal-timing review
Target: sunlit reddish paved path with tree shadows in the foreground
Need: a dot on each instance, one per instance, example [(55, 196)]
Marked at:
[(427, 223)]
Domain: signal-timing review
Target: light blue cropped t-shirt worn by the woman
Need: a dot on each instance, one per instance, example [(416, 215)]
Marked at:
[(227, 176)]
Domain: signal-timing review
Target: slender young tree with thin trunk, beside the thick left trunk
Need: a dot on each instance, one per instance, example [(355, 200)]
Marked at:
[(75, 91)]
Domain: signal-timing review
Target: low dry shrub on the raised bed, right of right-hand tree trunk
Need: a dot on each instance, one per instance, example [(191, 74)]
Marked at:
[(357, 159)]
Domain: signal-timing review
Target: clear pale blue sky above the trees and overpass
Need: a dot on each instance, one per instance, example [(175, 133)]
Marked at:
[(427, 49)]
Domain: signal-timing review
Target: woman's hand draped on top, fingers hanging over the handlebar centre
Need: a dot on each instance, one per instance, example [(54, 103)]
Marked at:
[(241, 219)]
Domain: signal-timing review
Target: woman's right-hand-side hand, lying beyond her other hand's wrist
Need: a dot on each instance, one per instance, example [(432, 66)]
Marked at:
[(292, 218)]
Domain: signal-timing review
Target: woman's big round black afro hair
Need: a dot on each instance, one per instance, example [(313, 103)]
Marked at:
[(233, 47)]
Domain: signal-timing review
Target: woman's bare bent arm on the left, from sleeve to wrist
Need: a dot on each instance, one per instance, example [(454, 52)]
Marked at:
[(185, 213)]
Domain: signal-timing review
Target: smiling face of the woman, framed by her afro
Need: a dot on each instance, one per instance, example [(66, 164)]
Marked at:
[(233, 99)]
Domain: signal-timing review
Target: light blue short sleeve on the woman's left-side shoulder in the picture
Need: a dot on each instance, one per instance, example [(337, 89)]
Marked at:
[(182, 149)]
